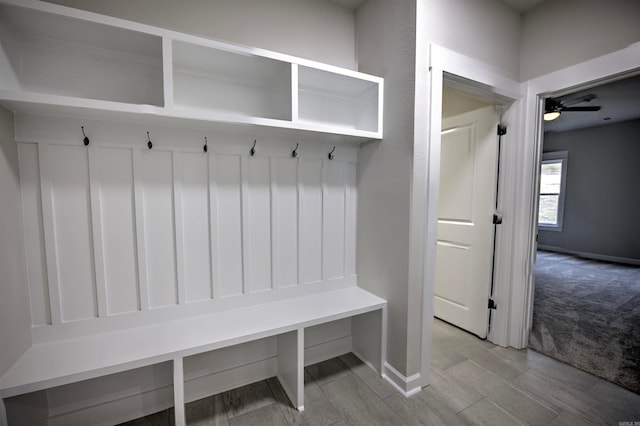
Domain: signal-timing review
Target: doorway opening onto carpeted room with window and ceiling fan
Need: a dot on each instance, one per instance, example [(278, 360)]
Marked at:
[(587, 269)]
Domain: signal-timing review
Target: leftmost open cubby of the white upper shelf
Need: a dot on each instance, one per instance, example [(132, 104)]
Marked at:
[(49, 54)]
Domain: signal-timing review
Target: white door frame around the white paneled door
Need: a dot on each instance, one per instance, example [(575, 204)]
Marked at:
[(477, 77)]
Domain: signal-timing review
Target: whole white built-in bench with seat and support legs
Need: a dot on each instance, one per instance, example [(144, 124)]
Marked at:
[(61, 362)]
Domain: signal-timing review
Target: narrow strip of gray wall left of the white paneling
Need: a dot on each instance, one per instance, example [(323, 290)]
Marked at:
[(15, 338)]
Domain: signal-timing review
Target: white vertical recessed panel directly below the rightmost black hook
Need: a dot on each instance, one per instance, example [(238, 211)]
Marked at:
[(334, 220)]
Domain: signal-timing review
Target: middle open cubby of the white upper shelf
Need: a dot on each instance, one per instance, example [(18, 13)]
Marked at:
[(229, 83)]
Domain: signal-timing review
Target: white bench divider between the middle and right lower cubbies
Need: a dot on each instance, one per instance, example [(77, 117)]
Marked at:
[(291, 366)]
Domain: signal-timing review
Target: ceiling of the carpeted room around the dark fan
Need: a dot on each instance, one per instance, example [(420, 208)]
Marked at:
[(620, 101)]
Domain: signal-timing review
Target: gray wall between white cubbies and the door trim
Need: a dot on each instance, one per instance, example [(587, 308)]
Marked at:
[(386, 47)]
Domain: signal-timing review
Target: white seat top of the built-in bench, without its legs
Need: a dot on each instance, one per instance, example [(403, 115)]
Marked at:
[(56, 363)]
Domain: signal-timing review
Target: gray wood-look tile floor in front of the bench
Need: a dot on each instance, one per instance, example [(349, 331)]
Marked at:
[(472, 382)]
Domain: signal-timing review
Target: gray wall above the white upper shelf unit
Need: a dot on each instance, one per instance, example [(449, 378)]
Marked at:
[(317, 30)]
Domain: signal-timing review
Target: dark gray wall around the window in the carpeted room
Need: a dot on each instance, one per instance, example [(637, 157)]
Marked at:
[(602, 203)]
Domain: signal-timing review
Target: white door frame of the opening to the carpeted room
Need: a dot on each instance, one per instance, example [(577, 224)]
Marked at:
[(604, 69)]
